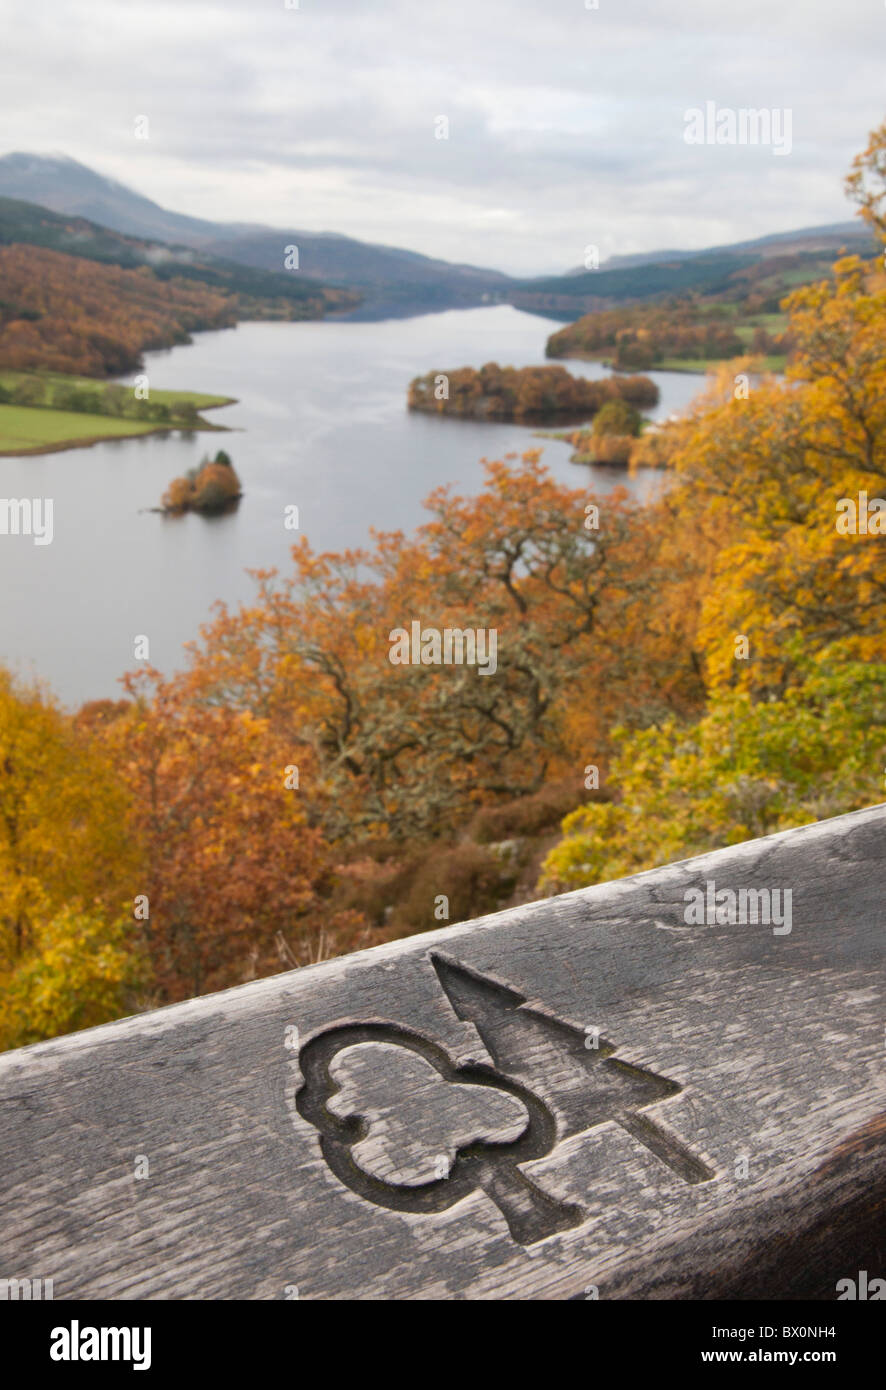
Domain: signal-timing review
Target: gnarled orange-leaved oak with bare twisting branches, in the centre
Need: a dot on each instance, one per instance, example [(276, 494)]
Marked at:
[(408, 749)]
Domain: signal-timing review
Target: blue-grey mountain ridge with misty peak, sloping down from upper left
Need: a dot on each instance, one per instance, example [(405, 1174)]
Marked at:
[(390, 275)]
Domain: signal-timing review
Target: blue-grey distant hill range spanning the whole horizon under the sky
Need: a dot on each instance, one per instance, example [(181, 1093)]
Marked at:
[(393, 281)]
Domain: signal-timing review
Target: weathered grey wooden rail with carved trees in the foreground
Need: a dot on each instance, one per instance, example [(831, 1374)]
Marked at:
[(582, 1096)]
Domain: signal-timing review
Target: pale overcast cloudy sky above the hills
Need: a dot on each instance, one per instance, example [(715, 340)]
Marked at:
[(567, 123)]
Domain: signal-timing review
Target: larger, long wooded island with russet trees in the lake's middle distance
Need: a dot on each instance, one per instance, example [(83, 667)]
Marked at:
[(525, 394)]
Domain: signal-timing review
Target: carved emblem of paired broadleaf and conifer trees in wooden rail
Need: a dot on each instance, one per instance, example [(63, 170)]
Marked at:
[(558, 1088)]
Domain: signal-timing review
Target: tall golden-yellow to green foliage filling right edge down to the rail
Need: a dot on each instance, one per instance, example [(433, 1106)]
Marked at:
[(791, 590)]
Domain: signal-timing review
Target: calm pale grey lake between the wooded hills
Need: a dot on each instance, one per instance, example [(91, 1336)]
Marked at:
[(321, 422)]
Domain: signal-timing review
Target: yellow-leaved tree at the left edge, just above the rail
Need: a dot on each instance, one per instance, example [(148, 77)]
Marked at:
[(67, 868)]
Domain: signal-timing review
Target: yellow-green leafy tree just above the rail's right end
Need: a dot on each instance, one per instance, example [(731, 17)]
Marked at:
[(748, 768)]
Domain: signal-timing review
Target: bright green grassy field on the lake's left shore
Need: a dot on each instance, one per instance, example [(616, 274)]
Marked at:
[(38, 429)]
